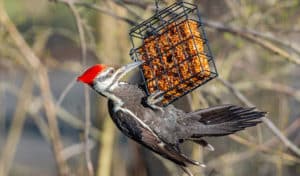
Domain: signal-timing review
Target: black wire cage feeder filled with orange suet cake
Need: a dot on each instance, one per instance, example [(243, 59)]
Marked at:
[(173, 45)]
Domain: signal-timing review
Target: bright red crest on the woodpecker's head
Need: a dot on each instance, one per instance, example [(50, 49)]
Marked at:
[(90, 74)]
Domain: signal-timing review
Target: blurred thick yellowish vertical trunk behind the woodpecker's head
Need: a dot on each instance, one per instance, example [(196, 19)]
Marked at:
[(113, 44)]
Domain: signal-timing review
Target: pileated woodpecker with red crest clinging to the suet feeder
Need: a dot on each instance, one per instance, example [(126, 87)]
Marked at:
[(162, 129)]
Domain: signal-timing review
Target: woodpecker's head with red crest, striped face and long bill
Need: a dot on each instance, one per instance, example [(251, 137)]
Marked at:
[(102, 77)]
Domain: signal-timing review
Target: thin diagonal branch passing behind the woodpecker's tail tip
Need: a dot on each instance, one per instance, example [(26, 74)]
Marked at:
[(267, 121)]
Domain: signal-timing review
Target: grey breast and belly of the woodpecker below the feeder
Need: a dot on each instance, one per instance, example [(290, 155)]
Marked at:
[(163, 123)]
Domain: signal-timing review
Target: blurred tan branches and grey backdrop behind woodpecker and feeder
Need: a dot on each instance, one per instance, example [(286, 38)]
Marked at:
[(44, 45)]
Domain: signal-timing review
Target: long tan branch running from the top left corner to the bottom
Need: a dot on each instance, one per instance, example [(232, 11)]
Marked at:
[(36, 68)]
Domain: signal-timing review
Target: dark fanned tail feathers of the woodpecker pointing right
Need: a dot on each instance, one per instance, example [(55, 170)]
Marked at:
[(224, 120)]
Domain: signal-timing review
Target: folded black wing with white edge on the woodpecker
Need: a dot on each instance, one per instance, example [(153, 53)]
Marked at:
[(136, 129)]
